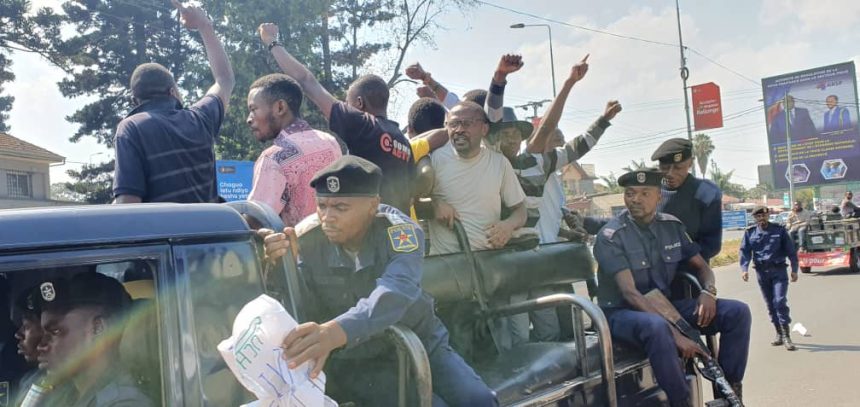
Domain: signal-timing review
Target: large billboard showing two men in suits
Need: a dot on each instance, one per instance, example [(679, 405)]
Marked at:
[(821, 123)]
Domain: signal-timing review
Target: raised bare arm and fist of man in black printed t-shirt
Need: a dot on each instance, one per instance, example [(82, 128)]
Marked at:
[(311, 86)]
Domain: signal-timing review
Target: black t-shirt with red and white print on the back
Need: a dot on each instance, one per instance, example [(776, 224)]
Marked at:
[(379, 141)]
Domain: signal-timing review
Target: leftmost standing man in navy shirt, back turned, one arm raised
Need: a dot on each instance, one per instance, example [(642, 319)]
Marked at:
[(165, 153)]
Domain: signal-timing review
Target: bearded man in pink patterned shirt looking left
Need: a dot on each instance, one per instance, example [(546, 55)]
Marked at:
[(283, 172)]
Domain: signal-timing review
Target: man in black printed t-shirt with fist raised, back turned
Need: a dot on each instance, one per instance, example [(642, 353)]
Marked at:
[(361, 122)]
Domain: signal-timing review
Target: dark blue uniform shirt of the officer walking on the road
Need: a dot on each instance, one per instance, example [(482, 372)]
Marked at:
[(767, 248)]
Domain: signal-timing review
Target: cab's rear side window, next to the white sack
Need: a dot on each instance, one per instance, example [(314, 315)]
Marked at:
[(222, 278)]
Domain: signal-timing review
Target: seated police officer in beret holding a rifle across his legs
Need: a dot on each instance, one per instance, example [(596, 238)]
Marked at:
[(640, 250)]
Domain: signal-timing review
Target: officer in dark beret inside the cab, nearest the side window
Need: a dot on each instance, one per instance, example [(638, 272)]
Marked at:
[(81, 319)]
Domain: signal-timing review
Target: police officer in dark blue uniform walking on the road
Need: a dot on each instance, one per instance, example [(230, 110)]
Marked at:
[(766, 245)]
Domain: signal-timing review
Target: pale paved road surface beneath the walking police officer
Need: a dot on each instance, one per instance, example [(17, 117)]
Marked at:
[(824, 370)]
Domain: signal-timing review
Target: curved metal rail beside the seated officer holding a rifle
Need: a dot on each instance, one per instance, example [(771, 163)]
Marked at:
[(598, 320)]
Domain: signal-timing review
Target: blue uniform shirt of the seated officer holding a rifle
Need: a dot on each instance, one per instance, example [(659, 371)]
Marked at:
[(651, 253)]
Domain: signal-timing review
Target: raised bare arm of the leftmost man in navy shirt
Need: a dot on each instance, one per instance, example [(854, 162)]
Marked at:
[(194, 18)]
